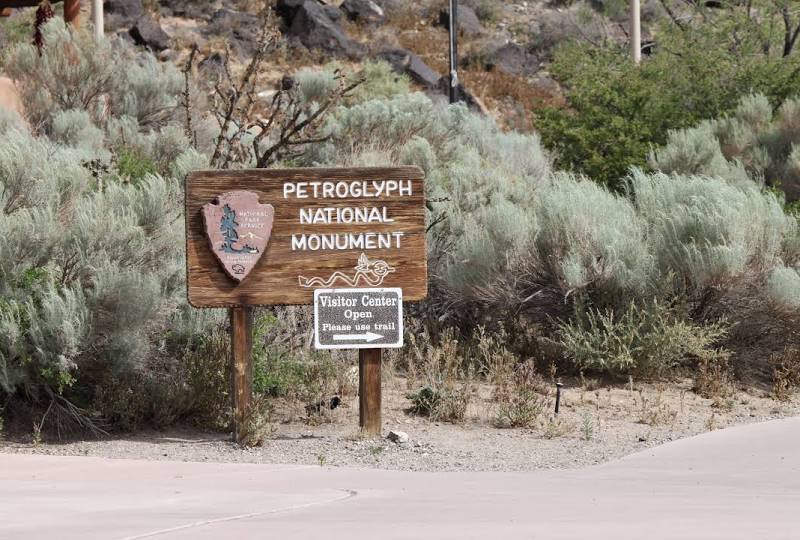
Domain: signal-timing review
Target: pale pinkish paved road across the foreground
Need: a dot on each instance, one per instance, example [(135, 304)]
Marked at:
[(740, 483)]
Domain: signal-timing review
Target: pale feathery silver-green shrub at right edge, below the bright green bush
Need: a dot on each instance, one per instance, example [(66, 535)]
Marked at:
[(707, 232)]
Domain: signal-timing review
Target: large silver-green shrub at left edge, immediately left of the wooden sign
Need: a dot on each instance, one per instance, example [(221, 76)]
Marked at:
[(86, 275)]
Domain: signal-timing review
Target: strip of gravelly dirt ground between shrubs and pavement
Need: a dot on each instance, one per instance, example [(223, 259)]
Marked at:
[(594, 426)]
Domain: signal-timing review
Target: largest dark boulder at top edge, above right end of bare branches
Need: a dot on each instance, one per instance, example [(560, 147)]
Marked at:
[(317, 27)]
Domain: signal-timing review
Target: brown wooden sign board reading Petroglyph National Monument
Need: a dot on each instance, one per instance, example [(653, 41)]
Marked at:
[(348, 227)]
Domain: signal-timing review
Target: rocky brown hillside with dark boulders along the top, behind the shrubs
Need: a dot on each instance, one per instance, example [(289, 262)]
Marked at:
[(504, 45)]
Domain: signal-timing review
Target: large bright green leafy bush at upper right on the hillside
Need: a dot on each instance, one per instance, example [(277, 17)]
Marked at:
[(616, 111)]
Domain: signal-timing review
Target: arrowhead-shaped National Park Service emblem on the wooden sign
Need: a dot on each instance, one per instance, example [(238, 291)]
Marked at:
[(238, 229)]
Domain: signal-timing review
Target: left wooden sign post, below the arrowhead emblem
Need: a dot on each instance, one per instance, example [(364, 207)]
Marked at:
[(241, 319)]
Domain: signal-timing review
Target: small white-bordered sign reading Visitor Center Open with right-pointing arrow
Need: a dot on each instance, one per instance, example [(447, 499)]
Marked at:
[(358, 318)]
